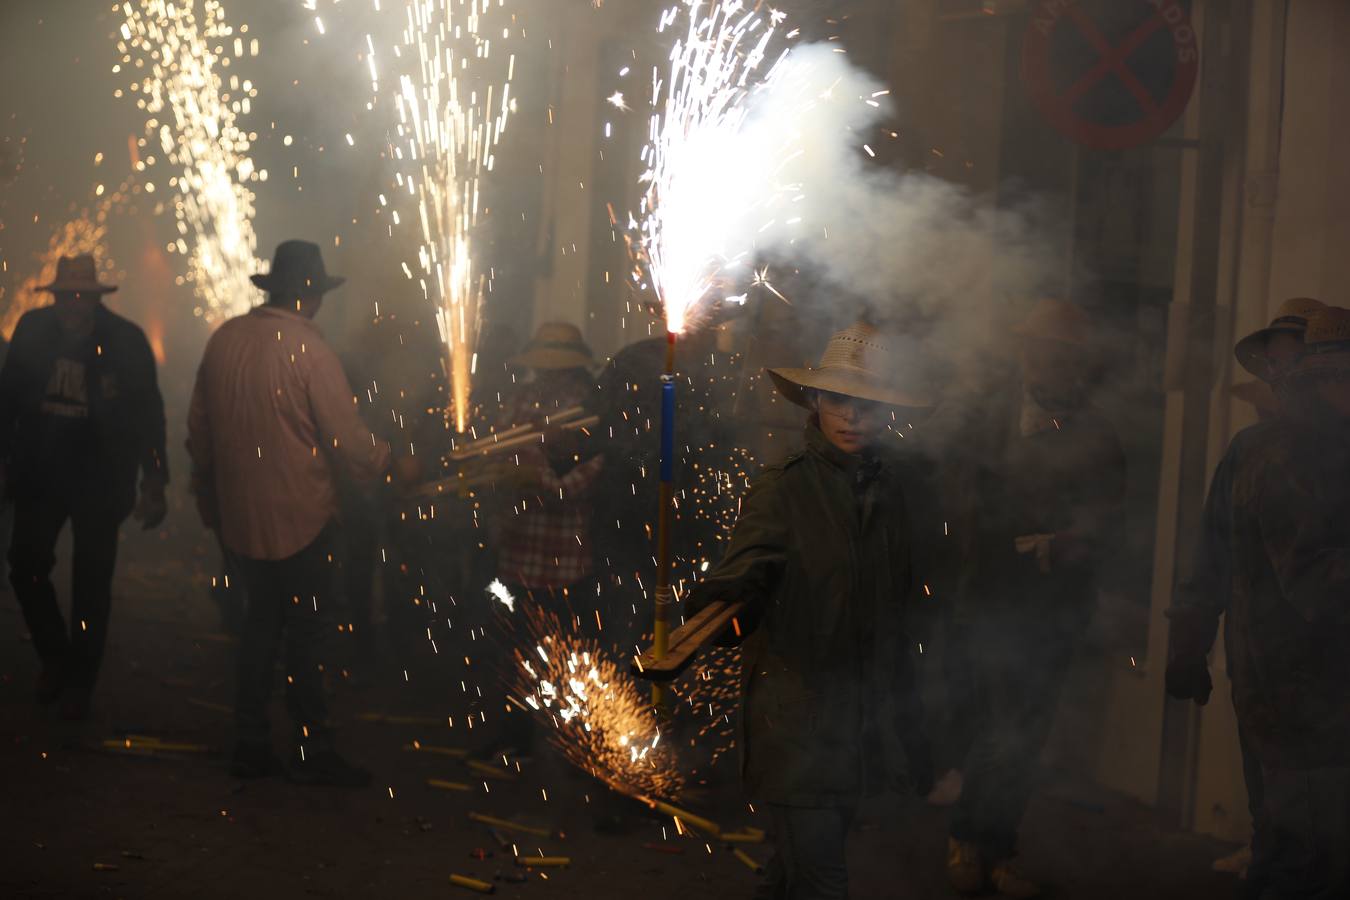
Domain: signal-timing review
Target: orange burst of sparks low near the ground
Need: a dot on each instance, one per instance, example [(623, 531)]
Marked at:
[(603, 721)]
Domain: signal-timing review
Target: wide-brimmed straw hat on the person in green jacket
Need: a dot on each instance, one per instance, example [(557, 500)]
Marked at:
[(858, 362)]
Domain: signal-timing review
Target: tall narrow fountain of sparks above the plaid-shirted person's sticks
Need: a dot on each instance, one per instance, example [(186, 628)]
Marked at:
[(453, 102)]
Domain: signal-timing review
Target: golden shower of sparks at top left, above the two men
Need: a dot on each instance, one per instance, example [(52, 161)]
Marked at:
[(178, 61)]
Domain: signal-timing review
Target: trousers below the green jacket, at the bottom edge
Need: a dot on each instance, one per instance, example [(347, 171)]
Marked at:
[(809, 859)]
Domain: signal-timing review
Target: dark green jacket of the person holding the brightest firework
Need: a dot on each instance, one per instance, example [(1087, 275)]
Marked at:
[(823, 555)]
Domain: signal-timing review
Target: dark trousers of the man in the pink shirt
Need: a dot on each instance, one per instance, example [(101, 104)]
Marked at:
[(288, 601)]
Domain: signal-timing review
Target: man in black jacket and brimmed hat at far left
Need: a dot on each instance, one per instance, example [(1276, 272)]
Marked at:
[(80, 415)]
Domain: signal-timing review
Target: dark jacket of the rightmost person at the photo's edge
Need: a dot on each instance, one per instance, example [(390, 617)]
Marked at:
[(1290, 605)]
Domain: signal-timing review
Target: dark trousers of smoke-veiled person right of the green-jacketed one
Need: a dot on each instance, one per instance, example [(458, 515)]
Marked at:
[(1020, 666)]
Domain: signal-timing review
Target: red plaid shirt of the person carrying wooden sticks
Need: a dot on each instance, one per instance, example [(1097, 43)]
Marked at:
[(546, 539)]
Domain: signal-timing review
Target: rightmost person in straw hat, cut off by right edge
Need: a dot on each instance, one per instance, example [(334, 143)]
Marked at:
[(1289, 617)]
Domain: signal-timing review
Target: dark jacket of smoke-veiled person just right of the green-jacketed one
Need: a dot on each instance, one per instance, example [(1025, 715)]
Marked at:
[(1067, 480)]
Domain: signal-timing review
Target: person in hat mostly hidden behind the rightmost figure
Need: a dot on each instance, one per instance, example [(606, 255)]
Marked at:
[(1205, 596)]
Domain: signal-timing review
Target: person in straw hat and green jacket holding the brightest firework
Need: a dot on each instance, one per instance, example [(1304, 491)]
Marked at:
[(823, 557)]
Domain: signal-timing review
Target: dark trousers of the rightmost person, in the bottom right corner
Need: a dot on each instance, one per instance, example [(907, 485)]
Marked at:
[(1307, 840)]
